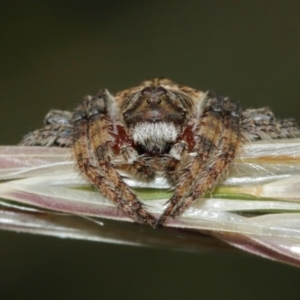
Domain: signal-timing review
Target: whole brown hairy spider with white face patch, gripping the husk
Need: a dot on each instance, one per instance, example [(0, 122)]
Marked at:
[(158, 121)]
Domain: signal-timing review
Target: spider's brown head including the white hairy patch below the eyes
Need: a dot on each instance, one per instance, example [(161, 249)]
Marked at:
[(154, 116)]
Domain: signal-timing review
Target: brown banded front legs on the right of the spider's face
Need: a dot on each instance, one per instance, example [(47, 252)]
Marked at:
[(217, 137)]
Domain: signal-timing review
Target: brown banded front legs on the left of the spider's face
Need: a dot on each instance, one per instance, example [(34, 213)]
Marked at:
[(93, 147)]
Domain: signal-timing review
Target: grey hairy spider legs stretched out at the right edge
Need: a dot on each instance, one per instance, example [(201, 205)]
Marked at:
[(261, 124)]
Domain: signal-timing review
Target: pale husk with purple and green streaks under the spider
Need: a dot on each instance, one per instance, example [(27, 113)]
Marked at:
[(257, 207)]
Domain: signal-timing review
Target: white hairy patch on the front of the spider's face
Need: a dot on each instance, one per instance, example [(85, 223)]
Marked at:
[(154, 136)]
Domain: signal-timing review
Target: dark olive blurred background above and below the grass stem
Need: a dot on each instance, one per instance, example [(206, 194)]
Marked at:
[(54, 52)]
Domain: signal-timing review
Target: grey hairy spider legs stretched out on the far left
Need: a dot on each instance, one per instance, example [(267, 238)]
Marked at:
[(56, 132)]
